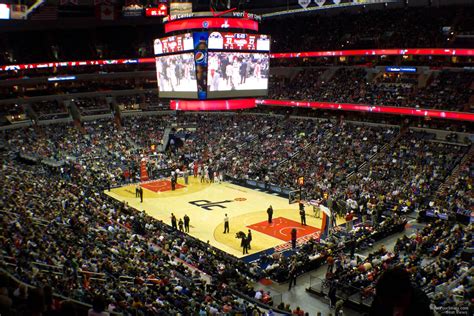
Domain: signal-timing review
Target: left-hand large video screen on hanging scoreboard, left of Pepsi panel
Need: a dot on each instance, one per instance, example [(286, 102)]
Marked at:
[(176, 76)]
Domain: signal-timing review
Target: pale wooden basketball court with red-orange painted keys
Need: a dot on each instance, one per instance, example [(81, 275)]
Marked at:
[(207, 203)]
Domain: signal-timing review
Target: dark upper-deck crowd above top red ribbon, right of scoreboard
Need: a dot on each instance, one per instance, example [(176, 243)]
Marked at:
[(395, 28)]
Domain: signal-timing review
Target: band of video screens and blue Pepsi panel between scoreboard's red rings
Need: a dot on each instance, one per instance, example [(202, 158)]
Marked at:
[(212, 65)]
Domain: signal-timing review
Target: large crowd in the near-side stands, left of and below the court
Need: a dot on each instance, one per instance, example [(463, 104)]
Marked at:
[(62, 234)]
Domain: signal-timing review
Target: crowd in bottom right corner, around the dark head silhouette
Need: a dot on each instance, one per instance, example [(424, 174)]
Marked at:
[(432, 256)]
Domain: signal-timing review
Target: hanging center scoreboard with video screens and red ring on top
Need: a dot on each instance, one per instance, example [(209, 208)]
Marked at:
[(221, 58)]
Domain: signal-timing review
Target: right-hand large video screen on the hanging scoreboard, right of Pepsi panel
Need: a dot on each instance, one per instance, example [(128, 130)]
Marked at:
[(236, 74)]
